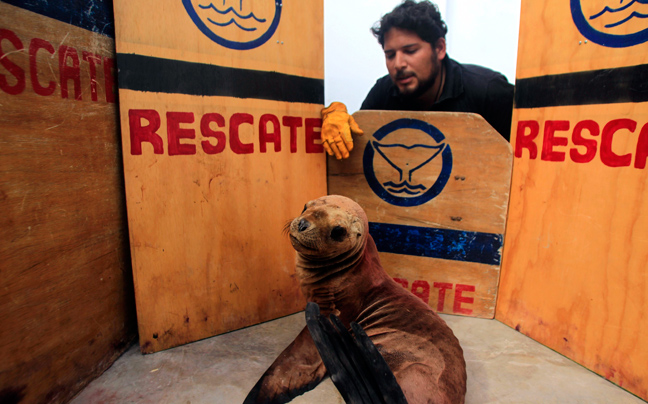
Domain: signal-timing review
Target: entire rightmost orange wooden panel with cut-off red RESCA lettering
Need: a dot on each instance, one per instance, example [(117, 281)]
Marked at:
[(576, 250)]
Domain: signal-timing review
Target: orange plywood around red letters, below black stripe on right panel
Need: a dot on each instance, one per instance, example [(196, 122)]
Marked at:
[(576, 255)]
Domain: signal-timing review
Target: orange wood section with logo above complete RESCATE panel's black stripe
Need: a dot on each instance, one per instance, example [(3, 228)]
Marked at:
[(295, 47)]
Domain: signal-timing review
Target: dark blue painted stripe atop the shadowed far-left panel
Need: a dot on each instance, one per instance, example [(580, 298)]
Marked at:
[(94, 15)]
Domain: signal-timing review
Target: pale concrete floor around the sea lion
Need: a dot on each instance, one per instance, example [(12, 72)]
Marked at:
[(503, 366)]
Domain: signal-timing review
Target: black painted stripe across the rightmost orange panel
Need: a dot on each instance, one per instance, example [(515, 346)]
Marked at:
[(607, 86)]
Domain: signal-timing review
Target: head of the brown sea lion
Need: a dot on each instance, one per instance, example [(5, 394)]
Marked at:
[(330, 230)]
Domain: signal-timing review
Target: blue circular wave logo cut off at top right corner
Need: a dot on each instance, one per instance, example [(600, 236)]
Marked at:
[(612, 23)]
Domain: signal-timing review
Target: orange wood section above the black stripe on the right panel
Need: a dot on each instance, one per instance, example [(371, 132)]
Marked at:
[(568, 49)]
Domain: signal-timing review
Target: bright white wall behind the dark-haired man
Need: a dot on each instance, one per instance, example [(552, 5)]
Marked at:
[(481, 32)]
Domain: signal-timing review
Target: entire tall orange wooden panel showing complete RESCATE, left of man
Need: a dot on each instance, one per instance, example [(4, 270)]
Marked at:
[(221, 148)]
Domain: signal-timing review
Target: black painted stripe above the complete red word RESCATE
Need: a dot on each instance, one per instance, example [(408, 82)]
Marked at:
[(145, 73)]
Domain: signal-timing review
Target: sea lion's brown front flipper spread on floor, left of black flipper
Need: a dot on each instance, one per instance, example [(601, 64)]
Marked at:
[(296, 370)]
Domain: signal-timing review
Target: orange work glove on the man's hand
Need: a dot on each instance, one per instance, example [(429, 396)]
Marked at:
[(337, 126)]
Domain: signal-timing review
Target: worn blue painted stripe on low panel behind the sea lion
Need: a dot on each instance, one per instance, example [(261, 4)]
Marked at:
[(482, 248)]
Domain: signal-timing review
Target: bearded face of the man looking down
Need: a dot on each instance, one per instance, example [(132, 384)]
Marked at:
[(413, 64)]
